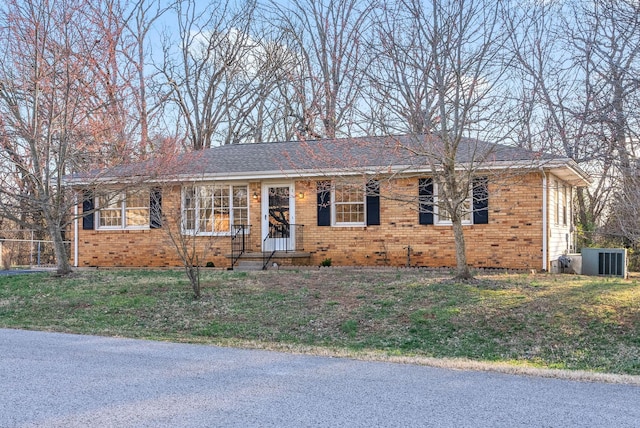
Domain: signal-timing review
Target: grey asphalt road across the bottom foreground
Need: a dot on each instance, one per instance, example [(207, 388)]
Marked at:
[(60, 380)]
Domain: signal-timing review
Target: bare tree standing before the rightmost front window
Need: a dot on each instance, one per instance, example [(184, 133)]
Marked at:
[(439, 83)]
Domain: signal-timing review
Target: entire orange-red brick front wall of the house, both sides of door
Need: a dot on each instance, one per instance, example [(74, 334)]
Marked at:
[(512, 239)]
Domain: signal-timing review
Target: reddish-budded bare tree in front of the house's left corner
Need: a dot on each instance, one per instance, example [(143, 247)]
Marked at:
[(59, 103)]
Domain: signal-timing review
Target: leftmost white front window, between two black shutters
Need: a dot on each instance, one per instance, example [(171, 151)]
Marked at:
[(124, 210)]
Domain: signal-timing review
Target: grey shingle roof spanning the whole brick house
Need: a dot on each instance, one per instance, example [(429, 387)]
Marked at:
[(316, 157)]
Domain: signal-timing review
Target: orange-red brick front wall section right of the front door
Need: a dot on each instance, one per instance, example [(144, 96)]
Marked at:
[(513, 237)]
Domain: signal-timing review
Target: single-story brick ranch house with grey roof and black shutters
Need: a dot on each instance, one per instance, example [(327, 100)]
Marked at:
[(363, 201)]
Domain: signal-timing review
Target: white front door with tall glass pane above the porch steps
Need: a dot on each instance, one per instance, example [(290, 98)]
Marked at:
[(278, 217)]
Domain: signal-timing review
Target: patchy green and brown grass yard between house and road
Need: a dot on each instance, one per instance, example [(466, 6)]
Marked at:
[(548, 321)]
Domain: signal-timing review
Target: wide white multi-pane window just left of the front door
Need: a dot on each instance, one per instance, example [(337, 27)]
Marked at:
[(213, 209)]
